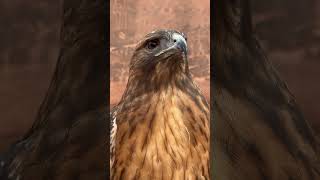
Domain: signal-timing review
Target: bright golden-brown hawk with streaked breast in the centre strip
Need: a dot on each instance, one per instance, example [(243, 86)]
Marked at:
[(161, 124)]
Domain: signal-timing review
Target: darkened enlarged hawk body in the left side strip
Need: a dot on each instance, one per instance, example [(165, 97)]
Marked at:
[(68, 139)]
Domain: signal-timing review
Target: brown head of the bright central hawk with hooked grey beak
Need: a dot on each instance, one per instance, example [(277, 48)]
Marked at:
[(162, 54)]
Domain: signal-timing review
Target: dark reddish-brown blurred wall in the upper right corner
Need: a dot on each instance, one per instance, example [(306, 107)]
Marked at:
[(289, 31)]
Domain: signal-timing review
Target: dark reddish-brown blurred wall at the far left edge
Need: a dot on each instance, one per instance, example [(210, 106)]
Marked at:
[(29, 47)]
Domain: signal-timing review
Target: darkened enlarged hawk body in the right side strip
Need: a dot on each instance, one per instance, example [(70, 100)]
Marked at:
[(258, 130)]
